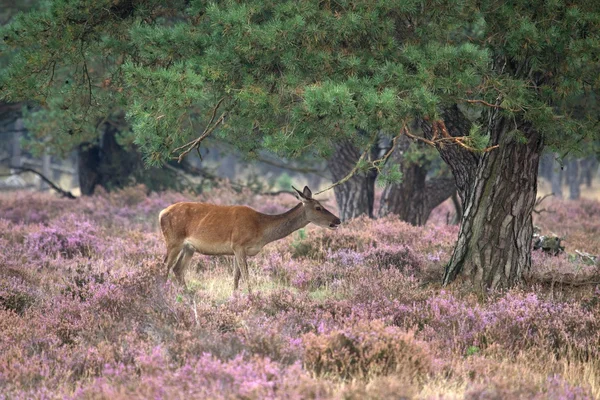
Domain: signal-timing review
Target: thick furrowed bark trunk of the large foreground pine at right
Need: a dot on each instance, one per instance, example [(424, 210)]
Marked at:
[(498, 190)]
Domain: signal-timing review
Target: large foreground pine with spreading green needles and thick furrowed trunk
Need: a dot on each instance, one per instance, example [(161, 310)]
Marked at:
[(292, 77)]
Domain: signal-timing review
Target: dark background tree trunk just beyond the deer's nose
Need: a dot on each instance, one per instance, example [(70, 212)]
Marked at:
[(354, 197)]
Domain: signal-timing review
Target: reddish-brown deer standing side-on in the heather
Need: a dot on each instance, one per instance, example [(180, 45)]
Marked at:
[(240, 231)]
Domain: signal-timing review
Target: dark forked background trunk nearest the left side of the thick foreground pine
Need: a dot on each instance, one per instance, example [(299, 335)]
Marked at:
[(413, 198)]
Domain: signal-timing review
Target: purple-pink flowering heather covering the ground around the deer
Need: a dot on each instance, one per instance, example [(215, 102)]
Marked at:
[(354, 313)]
